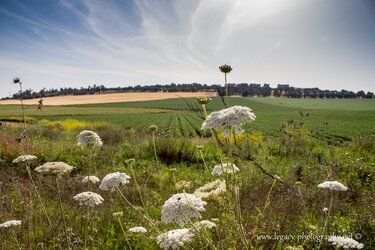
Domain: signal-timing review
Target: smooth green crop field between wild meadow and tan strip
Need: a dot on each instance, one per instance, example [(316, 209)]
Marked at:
[(335, 117)]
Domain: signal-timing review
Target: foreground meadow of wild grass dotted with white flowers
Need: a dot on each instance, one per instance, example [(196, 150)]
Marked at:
[(100, 185)]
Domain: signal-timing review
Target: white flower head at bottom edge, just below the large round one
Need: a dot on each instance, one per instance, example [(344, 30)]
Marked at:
[(175, 238)]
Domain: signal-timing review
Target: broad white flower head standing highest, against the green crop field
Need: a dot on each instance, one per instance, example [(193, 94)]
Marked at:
[(235, 117)]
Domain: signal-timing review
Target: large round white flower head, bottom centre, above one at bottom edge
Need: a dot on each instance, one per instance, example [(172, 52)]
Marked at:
[(180, 208)]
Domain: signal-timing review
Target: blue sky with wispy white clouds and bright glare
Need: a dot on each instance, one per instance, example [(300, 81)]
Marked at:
[(76, 43)]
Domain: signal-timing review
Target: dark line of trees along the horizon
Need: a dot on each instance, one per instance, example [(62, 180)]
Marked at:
[(242, 89)]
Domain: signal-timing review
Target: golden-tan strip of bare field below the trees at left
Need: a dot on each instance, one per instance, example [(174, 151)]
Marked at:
[(108, 98)]
